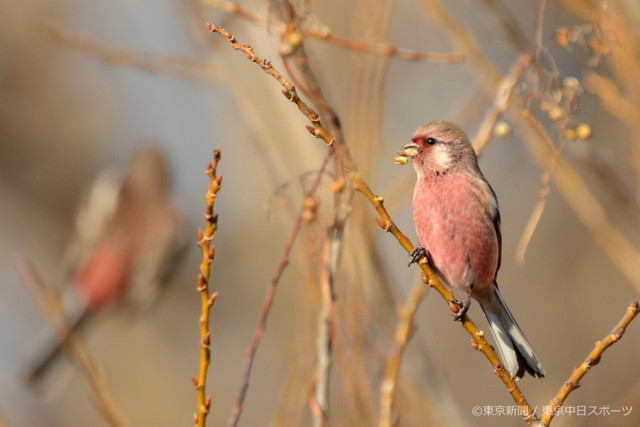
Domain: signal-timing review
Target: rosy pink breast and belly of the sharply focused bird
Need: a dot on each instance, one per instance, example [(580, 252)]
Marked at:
[(453, 221)]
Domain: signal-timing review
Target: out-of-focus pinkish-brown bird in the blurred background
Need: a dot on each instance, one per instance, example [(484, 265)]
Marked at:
[(128, 239)]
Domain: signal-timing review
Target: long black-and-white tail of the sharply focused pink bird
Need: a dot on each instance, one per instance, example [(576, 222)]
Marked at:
[(515, 351)]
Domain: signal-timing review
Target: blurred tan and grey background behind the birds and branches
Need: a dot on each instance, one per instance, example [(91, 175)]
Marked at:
[(85, 85)]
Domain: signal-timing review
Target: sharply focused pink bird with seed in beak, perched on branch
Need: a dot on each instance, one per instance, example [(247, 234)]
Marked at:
[(457, 221)]
